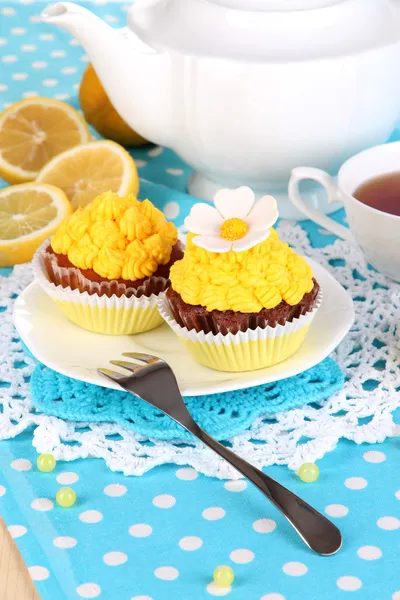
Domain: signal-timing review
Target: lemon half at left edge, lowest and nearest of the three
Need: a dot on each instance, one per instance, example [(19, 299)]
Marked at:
[(29, 213)]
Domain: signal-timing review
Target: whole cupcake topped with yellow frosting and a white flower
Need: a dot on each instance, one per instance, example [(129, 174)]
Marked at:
[(240, 299)]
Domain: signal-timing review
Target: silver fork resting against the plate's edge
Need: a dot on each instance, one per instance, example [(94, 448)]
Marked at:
[(154, 381)]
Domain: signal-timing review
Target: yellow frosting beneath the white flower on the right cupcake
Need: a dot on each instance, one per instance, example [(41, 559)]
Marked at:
[(242, 281)]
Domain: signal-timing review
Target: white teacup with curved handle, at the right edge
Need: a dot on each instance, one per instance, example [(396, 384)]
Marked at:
[(376, 232)]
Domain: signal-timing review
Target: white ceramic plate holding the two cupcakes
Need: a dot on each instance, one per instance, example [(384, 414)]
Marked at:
[(75, 352)]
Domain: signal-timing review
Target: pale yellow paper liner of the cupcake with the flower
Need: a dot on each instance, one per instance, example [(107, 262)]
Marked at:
[(244, 351)]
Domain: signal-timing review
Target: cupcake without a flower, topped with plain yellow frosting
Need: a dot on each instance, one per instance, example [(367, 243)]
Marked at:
[(108, 263)]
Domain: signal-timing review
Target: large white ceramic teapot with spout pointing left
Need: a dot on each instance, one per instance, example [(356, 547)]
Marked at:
[(245, 90)]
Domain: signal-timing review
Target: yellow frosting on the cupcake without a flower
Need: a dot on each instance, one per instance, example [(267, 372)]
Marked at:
[(119, 238)]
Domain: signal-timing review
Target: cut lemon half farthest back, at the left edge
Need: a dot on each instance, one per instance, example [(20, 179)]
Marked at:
[(35, 130)]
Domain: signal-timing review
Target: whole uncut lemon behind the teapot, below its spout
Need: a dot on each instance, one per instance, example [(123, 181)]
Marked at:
[(100, 113)]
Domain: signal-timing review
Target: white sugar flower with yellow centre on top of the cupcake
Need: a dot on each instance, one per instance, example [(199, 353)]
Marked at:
[(236, 223)]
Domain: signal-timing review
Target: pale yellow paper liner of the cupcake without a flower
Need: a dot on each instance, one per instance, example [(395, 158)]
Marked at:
[(101, 314)]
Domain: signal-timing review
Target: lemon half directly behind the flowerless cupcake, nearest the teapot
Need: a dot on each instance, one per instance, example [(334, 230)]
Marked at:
[(86, 171)]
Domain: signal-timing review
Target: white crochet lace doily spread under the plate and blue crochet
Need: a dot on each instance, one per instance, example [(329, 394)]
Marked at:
[(354, 413)]
